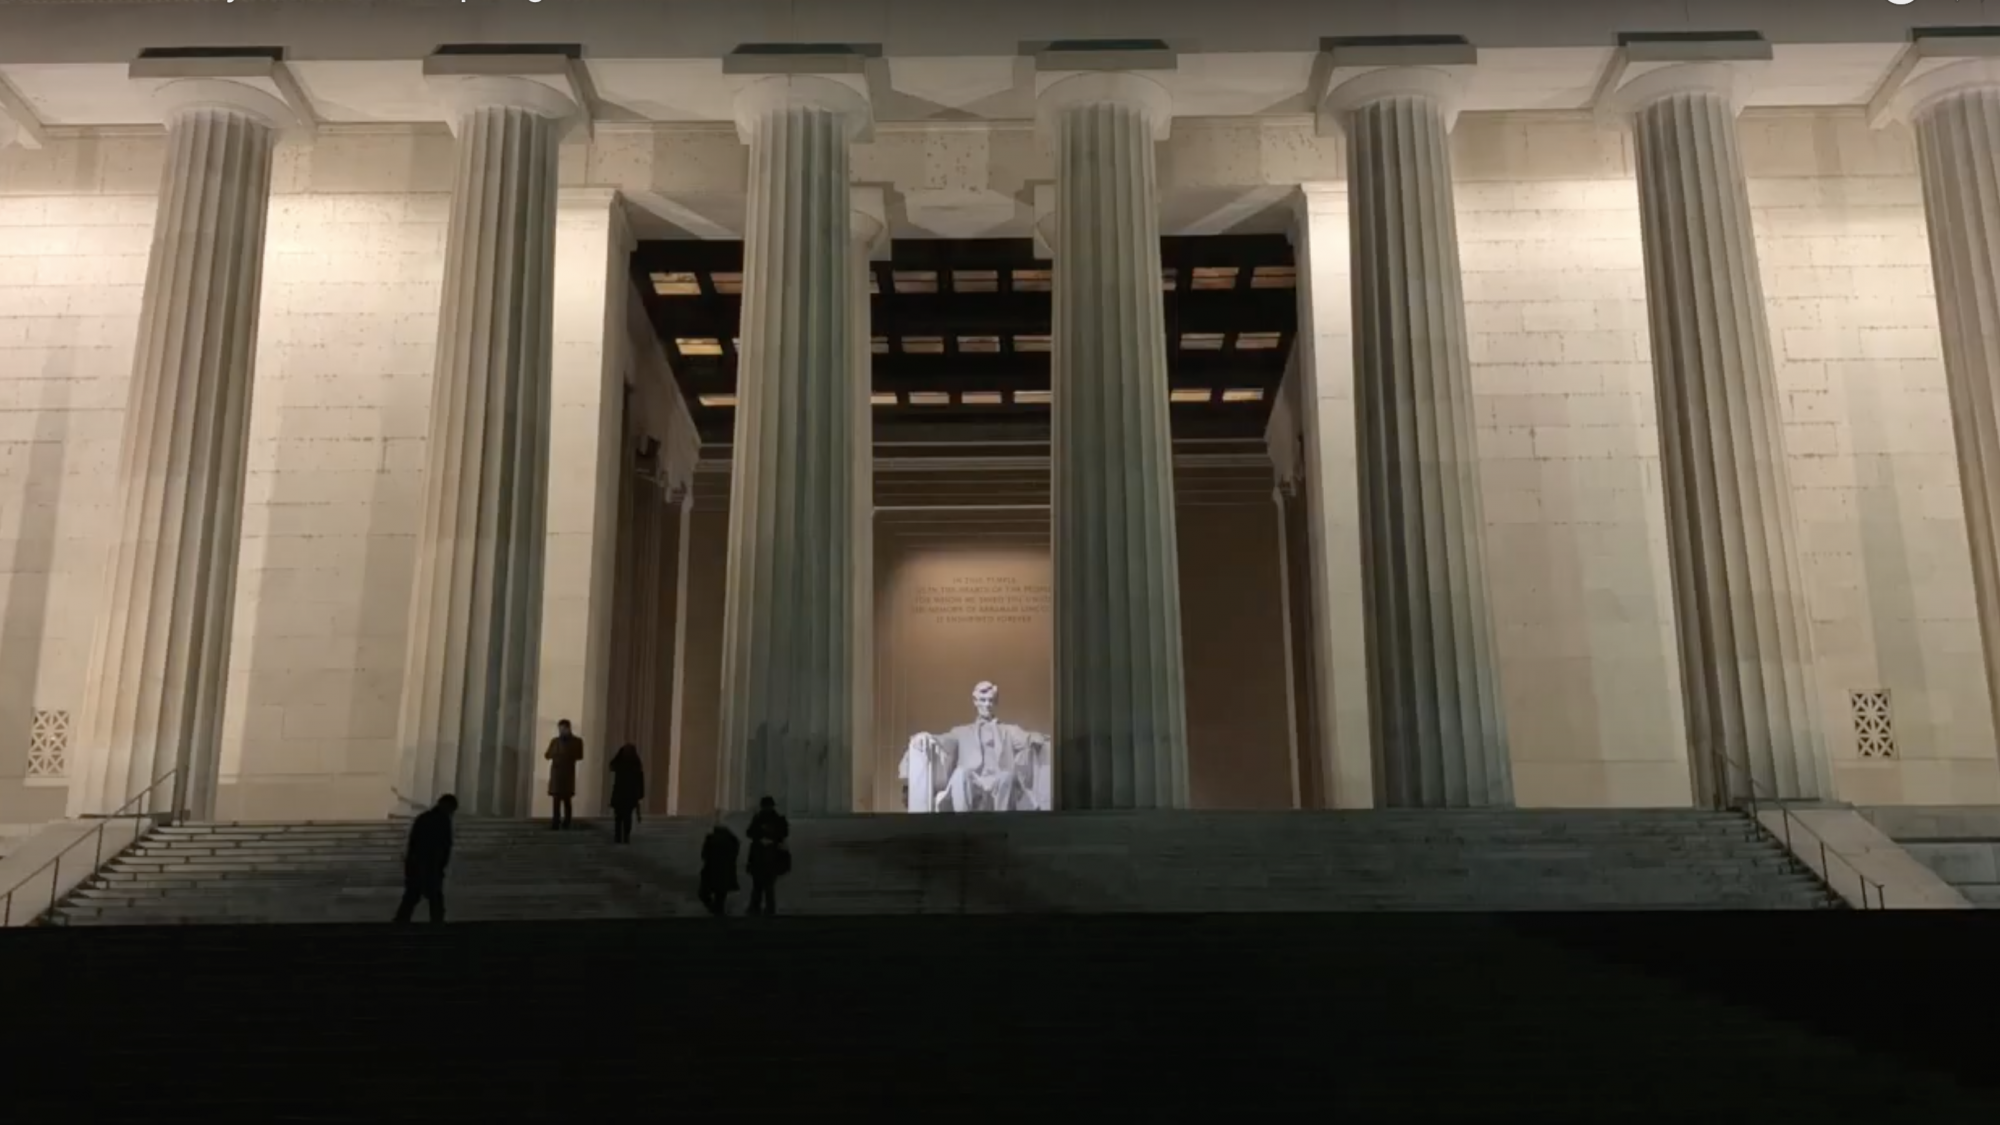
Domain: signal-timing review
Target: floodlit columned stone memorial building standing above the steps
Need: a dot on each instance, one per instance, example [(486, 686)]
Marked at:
[(1009, 407)]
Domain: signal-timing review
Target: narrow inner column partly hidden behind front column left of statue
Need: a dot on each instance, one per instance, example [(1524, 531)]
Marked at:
[(867, 229)]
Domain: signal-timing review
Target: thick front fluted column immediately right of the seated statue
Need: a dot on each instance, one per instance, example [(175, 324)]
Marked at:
[(1121, 706)]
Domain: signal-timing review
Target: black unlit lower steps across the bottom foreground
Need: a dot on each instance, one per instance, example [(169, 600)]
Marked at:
[(1385, 1018)]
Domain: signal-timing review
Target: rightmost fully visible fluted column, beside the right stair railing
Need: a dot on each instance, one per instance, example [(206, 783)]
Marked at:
[(1733, 549)]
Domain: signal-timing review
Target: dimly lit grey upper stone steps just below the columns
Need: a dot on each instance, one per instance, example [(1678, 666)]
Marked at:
[(979, 866)]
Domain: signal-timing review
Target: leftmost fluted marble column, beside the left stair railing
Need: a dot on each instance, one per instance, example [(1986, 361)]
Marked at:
[(153, 700)]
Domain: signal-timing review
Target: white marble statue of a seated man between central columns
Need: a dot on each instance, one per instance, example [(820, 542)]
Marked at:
[(981, 768)]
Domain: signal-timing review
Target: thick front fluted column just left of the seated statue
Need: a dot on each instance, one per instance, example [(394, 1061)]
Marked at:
[(789, 616)]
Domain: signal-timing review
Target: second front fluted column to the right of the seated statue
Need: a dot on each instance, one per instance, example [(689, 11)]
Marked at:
[(1433, 668)]
